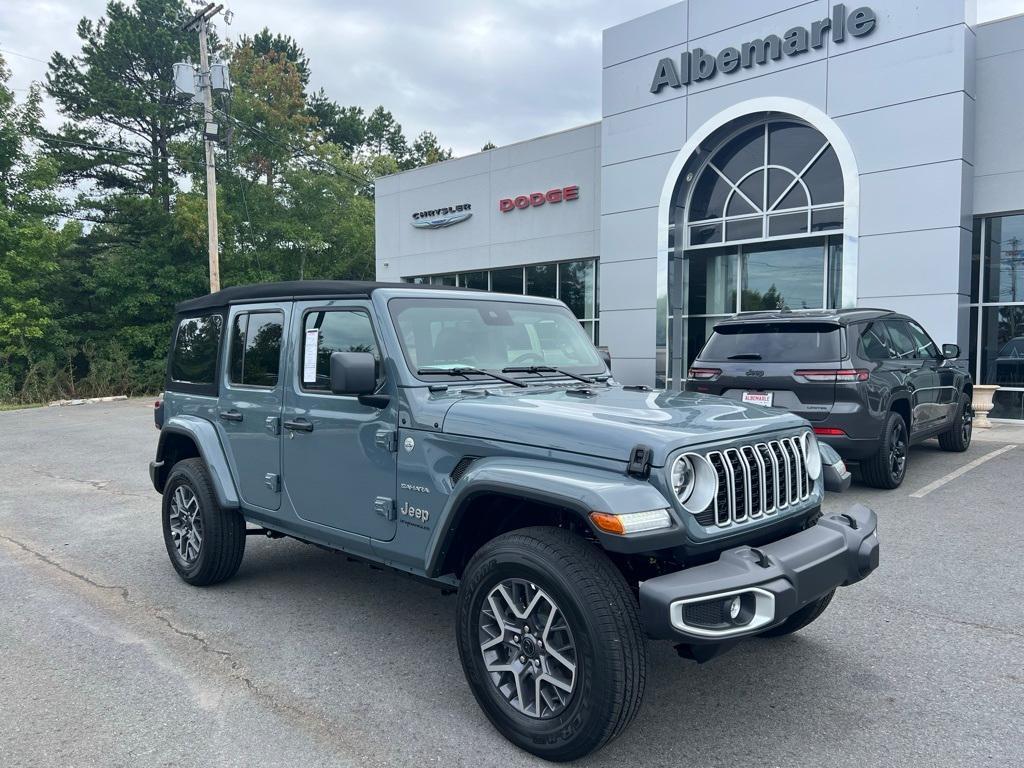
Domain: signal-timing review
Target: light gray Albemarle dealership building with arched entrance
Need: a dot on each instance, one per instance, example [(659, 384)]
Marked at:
[(756, 155)]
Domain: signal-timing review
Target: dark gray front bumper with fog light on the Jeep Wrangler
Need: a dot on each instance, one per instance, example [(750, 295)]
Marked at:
[(776, 580)]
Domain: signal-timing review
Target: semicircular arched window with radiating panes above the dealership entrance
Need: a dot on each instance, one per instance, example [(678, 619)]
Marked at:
[(780, 179)]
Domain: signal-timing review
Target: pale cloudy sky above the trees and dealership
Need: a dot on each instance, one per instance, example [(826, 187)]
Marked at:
[(473, 71)]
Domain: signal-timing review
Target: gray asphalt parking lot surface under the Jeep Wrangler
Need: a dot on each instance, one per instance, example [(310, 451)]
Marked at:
[(107, 659)]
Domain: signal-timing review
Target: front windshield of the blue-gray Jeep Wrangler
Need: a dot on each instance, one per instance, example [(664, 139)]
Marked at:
[(467, 333)]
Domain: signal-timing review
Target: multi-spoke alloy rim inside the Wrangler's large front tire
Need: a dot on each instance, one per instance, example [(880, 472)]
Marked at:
[(528, 649)]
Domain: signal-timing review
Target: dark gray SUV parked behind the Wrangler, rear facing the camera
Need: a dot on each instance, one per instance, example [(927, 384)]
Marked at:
[(872, 382)]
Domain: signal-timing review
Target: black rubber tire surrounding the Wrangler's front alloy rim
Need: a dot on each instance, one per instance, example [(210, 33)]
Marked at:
[(602, 615)]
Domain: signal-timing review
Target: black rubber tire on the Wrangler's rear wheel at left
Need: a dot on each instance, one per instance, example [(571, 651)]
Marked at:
[(223, 541)]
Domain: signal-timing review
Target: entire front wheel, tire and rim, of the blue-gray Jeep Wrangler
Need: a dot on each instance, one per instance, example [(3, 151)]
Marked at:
[(542, 612)]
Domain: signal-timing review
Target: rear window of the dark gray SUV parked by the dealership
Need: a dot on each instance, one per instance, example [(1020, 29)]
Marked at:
[(775, 343)]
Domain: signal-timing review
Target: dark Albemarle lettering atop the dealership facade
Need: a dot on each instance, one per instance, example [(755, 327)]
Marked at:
[(698, 65)]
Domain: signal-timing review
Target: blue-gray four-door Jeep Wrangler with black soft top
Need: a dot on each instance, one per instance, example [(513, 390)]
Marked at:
[(479, 442)]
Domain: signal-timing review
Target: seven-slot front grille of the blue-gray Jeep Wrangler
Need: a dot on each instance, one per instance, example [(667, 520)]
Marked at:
[(757, 481)]
